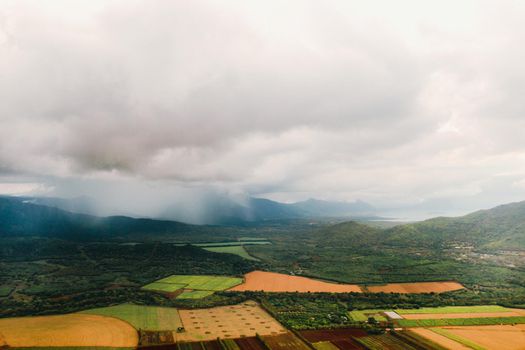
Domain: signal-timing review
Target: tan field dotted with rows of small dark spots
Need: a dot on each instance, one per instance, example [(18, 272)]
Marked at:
[(235, 321)]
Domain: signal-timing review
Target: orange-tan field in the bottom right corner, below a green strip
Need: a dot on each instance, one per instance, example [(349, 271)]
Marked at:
[(493, 337)]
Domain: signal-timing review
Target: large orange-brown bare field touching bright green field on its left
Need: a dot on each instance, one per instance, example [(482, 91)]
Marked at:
[(277, 282)]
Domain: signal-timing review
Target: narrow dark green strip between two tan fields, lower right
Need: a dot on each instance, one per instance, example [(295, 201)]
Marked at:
[(481, 321)]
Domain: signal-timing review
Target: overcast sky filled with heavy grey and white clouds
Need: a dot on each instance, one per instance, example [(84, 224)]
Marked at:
[(403, 104)]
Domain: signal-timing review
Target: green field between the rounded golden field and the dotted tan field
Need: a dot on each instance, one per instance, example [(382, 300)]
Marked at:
[(142, 317)]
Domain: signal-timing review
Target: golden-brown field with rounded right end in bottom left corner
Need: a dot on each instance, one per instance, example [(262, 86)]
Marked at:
[(68, 331)]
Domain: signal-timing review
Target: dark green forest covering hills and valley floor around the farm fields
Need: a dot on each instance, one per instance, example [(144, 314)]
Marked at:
[(52, 261)]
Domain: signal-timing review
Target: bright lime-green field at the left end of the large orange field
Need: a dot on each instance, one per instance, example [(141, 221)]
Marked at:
[(198, 282)]
